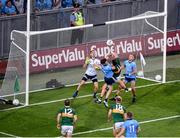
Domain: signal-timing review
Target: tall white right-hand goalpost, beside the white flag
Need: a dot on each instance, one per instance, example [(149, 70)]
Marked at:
[(165, 41)]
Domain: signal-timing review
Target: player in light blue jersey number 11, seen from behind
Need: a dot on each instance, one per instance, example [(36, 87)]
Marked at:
[(130, 127)]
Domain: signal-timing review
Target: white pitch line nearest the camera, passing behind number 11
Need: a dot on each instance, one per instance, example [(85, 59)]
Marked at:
[(142, 122)]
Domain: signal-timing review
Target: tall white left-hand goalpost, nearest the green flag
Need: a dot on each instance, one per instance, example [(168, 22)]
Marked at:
[(27, 52)]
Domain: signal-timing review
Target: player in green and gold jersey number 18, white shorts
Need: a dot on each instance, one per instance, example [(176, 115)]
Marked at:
[(117, 112)]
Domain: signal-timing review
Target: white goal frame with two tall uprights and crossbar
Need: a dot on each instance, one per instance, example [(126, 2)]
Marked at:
[(28, 33)]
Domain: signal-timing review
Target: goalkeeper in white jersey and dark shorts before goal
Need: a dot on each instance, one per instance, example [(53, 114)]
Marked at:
[(89, 74)]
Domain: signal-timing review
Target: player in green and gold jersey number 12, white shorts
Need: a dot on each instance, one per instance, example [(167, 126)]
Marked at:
[(66, 119)]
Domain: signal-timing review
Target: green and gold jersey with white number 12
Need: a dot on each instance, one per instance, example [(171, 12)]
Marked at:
[(67, 114)]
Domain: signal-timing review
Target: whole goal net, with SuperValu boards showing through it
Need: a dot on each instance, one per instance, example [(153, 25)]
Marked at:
[(57, 56)]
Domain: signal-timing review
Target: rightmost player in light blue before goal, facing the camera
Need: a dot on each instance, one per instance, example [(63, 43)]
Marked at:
[(130, 74)]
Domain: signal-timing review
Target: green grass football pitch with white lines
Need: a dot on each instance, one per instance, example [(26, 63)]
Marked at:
[(157, 110)]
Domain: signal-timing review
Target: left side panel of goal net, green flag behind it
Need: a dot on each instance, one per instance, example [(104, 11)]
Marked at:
[(13, 86)]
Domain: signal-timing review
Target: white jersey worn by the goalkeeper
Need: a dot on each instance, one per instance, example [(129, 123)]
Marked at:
[(91, 71)]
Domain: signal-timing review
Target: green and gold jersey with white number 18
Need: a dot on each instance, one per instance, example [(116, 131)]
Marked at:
[(118, 112)]
